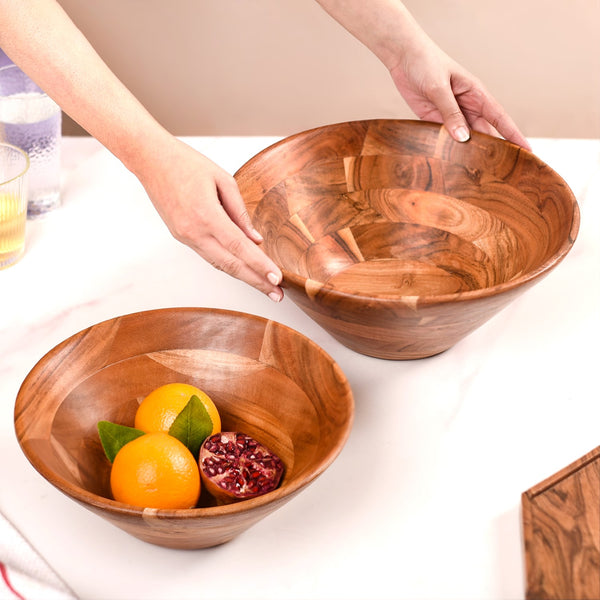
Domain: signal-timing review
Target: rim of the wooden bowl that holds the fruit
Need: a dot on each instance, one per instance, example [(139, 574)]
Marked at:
[(287, 489)]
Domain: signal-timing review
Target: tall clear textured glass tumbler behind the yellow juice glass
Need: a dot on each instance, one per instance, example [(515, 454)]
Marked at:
[(31, 120)]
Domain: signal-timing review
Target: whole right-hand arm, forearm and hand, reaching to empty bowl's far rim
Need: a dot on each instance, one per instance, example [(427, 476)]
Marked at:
[(435, 87)]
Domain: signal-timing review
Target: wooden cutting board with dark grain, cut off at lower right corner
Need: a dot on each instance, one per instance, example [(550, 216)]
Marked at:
[(561, 528)]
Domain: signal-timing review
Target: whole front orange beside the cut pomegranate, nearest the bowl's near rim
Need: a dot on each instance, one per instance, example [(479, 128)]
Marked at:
[(155, 471)]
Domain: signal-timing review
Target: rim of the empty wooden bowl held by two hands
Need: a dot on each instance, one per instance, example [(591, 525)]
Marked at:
[(296, 280)]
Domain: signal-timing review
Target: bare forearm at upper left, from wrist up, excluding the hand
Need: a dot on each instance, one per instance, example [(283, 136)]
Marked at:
[(40, 37)]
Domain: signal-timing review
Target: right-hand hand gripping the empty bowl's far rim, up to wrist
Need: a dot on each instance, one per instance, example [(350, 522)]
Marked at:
[(438, 89)]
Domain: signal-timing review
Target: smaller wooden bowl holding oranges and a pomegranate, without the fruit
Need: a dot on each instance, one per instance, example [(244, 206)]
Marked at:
[(266, 380)]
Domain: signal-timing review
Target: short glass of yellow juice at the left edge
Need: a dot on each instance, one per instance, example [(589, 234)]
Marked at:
[(14, 164)]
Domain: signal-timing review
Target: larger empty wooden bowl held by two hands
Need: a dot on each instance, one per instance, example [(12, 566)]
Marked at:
[(400, 241)]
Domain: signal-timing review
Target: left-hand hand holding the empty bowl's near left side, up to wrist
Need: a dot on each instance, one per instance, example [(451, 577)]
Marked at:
[(203, 208)]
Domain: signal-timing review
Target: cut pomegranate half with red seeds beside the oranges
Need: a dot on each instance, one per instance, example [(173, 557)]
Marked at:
[(235, 466)]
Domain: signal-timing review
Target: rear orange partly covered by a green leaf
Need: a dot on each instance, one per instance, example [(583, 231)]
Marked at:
[(159, 408)]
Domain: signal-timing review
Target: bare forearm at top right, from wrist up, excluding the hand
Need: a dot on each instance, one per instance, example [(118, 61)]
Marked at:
[(384, 26)]
